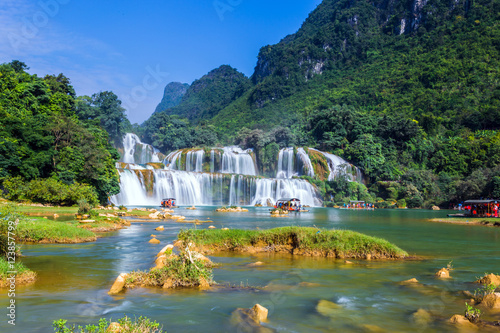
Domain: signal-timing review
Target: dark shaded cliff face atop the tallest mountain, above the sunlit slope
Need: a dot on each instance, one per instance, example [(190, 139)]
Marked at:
[(339, 30)]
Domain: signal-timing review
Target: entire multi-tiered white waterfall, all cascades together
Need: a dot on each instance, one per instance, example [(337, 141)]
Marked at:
[(232, 179)]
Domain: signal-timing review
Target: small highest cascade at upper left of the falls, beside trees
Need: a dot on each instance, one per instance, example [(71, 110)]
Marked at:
[(134, 151)]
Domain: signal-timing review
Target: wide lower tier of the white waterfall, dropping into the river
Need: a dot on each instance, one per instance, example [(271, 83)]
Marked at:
[(194, 188)]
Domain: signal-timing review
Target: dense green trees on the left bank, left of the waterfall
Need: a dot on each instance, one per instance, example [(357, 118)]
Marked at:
[(56, 147)]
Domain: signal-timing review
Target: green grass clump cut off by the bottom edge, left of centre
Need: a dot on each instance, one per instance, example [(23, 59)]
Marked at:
[(123, 325)]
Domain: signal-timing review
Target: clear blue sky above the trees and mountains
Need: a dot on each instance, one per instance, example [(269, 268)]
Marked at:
[(134, 48)]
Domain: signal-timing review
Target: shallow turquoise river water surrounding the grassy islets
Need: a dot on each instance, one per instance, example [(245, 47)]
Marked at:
[(74, 279)]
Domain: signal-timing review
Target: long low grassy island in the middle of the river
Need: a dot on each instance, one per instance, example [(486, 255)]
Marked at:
[(294, 240)]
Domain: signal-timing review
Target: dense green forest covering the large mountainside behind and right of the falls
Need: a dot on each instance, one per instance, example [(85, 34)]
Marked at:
[(408, 91)]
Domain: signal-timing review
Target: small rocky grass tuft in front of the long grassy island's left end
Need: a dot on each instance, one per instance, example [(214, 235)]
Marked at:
[(179, 271)]
